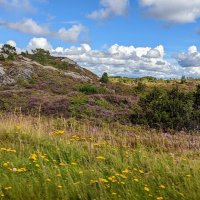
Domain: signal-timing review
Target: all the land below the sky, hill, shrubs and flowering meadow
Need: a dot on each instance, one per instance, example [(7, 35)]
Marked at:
[(73, 136)]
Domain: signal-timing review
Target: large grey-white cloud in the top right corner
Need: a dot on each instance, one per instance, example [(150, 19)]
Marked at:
[(178, 11)]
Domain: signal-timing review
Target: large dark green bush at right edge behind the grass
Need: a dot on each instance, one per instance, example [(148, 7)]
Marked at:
[(171, 109)]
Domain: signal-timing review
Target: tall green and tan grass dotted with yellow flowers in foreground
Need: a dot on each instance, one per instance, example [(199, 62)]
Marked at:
[(67, 159)]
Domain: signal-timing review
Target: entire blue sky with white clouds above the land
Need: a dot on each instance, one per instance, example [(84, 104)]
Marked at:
[(132, 38)]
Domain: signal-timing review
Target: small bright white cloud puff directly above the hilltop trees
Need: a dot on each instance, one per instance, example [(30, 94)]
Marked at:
[(39, 43)]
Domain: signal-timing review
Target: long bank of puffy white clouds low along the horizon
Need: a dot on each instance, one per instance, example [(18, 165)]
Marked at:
[(126, 60)]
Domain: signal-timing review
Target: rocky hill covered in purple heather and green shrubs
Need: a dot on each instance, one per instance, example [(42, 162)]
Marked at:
[(58, 87)]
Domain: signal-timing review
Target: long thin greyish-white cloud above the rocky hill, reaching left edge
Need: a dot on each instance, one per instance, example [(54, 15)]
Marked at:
[(29, 26)]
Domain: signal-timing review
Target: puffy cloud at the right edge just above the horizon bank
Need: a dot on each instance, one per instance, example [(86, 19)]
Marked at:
[(191, 58)]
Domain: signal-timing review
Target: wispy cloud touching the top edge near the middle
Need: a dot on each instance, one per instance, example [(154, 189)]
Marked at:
[(109, 9)]
